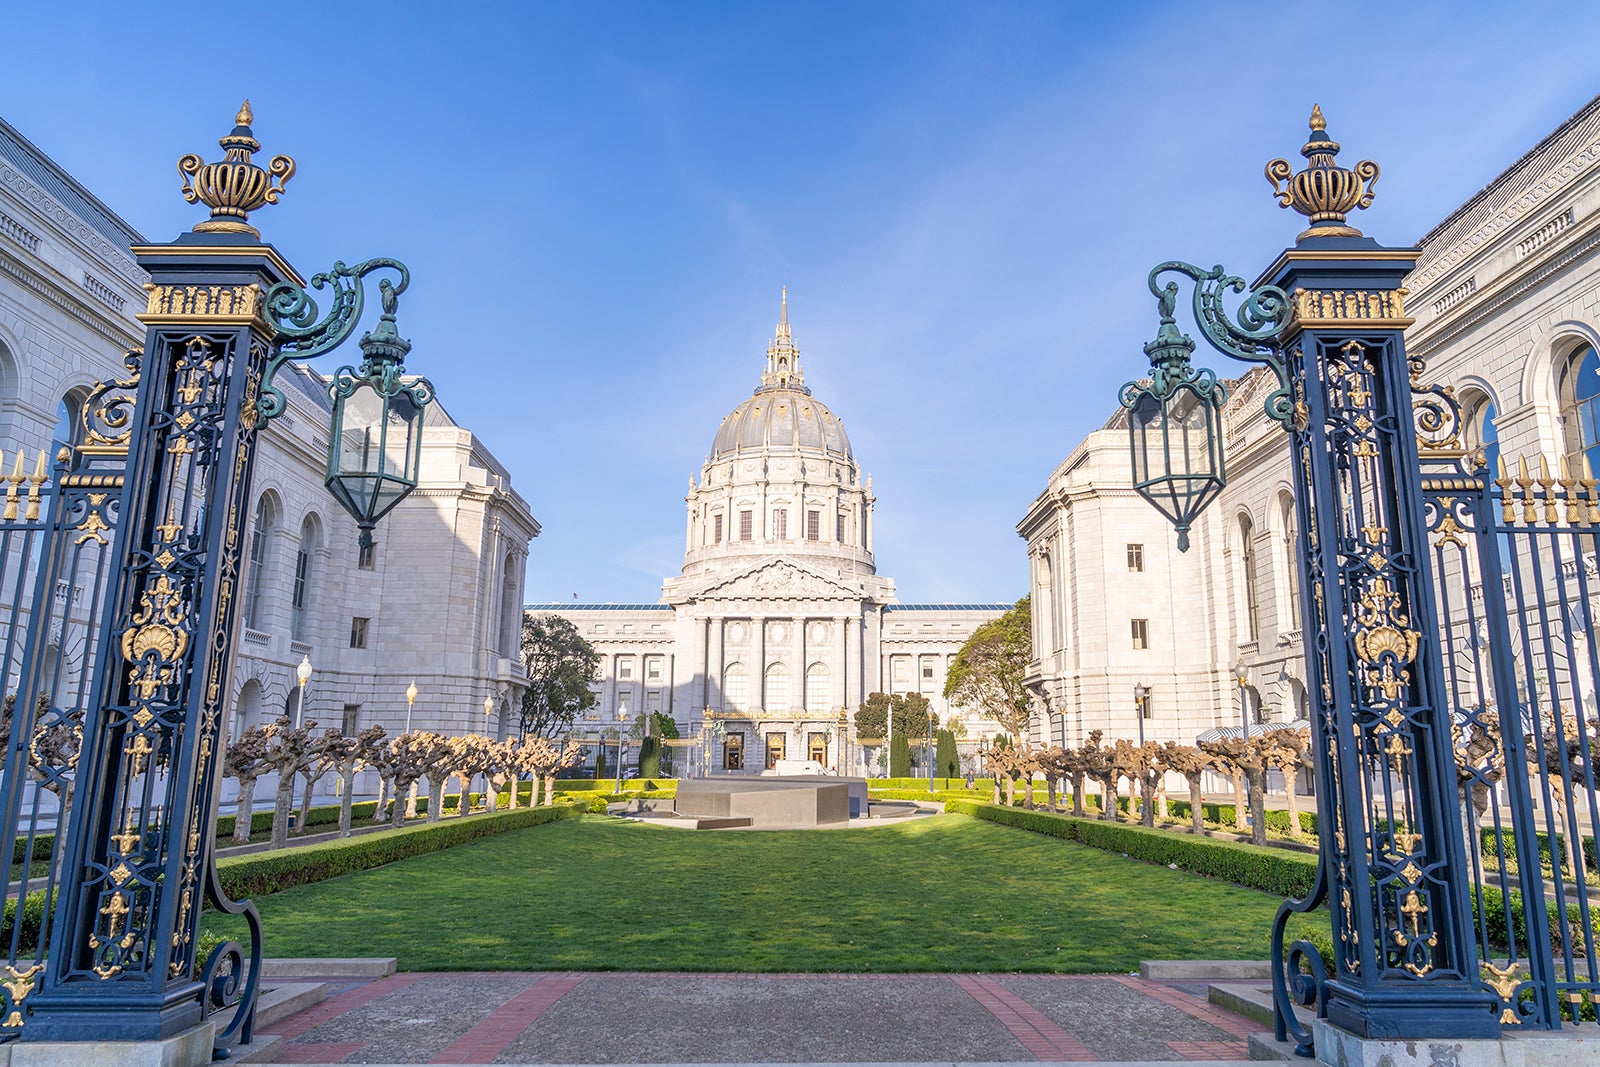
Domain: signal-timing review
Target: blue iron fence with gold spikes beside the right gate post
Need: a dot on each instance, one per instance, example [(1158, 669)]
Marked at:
[(1518, 588)]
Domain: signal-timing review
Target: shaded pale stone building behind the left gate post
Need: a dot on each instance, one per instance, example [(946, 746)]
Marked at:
[(455, 551)]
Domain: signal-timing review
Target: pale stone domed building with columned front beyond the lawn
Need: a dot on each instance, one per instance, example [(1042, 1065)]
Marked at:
[(780, 626)]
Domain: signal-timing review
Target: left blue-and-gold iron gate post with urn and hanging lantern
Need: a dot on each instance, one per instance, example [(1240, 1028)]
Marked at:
[(225, 313)]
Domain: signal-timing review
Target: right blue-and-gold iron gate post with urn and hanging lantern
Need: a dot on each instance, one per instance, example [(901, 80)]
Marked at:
[(1329, 321)]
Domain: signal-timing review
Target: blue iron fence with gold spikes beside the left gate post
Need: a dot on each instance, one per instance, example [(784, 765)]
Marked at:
[(58, 518)]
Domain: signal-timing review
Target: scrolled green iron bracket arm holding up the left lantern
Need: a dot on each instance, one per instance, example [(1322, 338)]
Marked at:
[(302, 335)]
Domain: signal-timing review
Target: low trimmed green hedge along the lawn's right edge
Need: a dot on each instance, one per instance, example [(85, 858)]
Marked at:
[(1268, 869)]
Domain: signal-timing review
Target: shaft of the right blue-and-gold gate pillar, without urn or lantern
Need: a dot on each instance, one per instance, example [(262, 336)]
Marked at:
[(1390, 813)]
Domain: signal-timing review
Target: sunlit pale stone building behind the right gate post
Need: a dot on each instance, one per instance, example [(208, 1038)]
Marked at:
[(1506, 298)]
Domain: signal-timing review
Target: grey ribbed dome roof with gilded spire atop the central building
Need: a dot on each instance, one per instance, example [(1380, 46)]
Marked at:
[(783, 415)]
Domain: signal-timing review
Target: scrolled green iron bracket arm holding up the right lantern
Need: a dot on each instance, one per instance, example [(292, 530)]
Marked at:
[(1254, 332)]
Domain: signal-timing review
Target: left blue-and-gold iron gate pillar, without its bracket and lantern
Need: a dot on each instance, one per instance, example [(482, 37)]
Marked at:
[(140, 837)]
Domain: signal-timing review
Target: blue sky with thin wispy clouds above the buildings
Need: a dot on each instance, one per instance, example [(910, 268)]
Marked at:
[(601, 202)]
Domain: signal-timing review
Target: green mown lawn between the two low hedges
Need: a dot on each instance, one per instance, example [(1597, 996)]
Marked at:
[(945, 893)]
